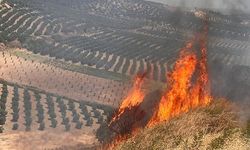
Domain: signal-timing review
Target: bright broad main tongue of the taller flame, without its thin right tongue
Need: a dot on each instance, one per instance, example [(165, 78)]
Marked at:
[(175, 100)]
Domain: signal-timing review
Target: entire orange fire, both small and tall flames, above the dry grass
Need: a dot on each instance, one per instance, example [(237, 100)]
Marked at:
[(188, 88)]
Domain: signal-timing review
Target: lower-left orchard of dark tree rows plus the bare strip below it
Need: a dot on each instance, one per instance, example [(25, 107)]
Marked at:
[(42, 113)]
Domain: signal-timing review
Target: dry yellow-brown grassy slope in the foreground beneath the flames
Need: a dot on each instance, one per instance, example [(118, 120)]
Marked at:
[(214, 127)]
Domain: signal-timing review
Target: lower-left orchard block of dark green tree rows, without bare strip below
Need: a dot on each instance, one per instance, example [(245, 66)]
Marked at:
[(29, 109)]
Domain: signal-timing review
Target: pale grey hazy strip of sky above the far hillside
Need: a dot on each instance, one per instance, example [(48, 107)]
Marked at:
[(226, 6)]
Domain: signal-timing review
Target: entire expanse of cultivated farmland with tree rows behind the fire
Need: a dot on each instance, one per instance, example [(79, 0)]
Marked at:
[(65, 66)]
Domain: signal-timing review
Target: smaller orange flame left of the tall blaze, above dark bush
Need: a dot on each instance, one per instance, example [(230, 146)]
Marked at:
[(134, 98)]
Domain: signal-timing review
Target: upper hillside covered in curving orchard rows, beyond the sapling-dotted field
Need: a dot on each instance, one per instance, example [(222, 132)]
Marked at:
[(121, 36)]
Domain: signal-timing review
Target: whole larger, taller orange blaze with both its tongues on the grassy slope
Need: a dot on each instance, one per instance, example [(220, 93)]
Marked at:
[(182, 95)]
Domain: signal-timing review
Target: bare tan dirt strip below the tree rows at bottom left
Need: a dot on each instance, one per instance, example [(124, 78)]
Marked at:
[(40, 140)]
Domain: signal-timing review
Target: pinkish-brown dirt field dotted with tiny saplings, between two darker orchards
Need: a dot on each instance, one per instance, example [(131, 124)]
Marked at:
[(62, 82)]
